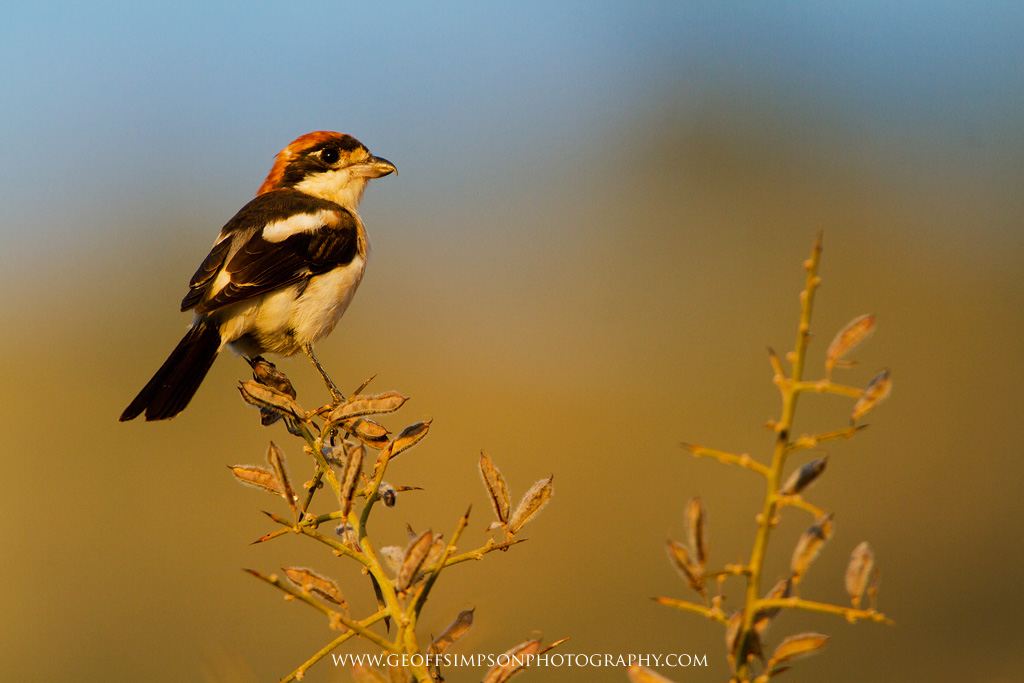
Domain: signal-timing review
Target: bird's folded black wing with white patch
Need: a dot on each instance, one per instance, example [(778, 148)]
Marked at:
[(277, 240)]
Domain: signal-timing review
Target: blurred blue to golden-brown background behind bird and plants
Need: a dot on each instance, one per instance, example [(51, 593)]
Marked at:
[(598, 229)]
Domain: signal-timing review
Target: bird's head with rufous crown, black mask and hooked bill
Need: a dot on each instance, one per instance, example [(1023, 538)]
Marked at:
[(329, 165)]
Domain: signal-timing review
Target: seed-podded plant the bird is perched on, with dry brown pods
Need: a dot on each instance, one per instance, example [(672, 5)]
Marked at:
[(402, 592)]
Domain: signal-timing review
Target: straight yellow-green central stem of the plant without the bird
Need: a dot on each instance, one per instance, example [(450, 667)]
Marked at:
[(789, 388)]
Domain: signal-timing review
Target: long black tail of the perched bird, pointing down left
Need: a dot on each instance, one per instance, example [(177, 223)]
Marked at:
[(178, 380)]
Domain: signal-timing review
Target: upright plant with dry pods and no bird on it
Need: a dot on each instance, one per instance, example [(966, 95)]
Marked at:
[(746, 624)]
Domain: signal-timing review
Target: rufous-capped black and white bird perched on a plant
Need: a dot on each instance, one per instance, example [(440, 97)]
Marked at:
[(282, 273)]
